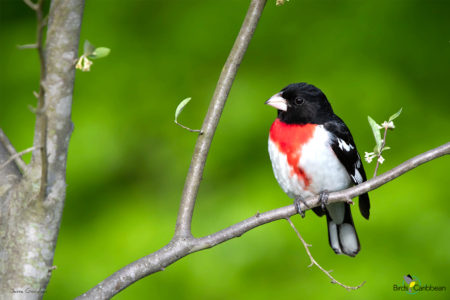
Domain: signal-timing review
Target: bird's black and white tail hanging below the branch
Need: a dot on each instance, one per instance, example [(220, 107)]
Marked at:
[(341, 230)]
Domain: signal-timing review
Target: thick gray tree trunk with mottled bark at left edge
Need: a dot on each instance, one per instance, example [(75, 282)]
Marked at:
[(29, 220)]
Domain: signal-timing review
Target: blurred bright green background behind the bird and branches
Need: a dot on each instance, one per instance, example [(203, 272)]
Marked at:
[(128, 160)]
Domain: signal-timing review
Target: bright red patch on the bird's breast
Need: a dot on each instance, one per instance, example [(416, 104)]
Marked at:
[(290, 139)]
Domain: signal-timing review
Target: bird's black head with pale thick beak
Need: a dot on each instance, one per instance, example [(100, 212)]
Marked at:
[(301, 103)]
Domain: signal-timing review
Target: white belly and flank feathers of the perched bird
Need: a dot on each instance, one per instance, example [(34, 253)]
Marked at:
[(318, 161)]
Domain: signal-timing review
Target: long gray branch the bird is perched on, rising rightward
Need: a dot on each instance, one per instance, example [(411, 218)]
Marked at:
[(178, 248)]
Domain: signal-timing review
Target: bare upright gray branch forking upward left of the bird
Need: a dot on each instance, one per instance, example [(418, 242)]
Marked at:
[(194, 176)]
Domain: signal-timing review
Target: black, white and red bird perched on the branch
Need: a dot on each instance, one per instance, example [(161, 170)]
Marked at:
[(313, 153)]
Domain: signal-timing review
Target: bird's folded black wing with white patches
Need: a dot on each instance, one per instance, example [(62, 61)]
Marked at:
[(345, 149)]
